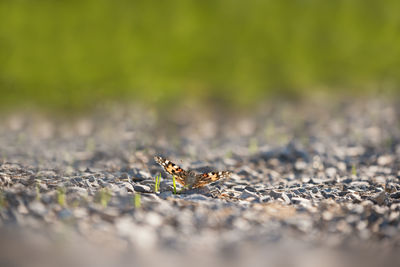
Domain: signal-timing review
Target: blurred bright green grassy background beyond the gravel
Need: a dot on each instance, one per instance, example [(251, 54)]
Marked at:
[(77, 54)]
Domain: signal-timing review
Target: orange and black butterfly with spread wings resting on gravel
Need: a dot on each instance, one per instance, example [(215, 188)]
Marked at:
[(189, 178)]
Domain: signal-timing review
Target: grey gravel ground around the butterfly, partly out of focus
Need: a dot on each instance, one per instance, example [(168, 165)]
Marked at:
[(317, 181)]
